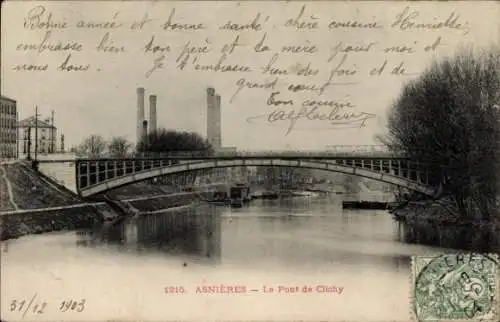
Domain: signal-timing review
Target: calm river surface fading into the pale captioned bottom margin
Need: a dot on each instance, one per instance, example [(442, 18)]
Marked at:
[(354, 262)]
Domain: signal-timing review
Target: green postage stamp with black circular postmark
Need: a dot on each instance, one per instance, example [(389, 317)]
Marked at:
[(455, 287)]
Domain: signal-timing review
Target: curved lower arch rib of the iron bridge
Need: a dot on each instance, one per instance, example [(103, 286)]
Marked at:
[(126, 179)]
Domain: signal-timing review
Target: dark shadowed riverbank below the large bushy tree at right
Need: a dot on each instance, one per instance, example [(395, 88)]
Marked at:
[(427, 222)]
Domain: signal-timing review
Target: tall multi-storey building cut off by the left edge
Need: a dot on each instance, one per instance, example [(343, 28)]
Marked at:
[(8, 128)]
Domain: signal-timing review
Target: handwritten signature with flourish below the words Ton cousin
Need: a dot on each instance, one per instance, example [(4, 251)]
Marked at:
[(334, 118)]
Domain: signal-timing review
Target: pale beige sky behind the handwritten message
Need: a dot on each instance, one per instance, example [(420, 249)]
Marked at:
[(103, 99)]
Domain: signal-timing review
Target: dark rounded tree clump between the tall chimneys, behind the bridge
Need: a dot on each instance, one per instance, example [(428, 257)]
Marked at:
[(169, 141)]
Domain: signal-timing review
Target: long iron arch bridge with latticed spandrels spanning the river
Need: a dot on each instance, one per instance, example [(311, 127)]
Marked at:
[(95, 176)]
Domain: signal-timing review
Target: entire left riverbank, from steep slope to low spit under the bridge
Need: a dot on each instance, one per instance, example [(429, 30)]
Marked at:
[(32, 203)]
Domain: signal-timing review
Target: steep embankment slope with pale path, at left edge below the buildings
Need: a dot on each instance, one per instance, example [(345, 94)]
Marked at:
[(32, 203)]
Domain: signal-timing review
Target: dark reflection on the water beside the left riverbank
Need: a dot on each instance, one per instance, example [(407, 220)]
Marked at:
[(192, 231)]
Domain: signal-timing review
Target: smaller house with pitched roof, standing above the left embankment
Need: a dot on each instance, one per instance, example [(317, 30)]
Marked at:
[(39, 134)]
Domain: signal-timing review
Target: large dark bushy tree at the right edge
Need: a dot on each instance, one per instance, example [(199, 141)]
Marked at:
[(447, 120)]
